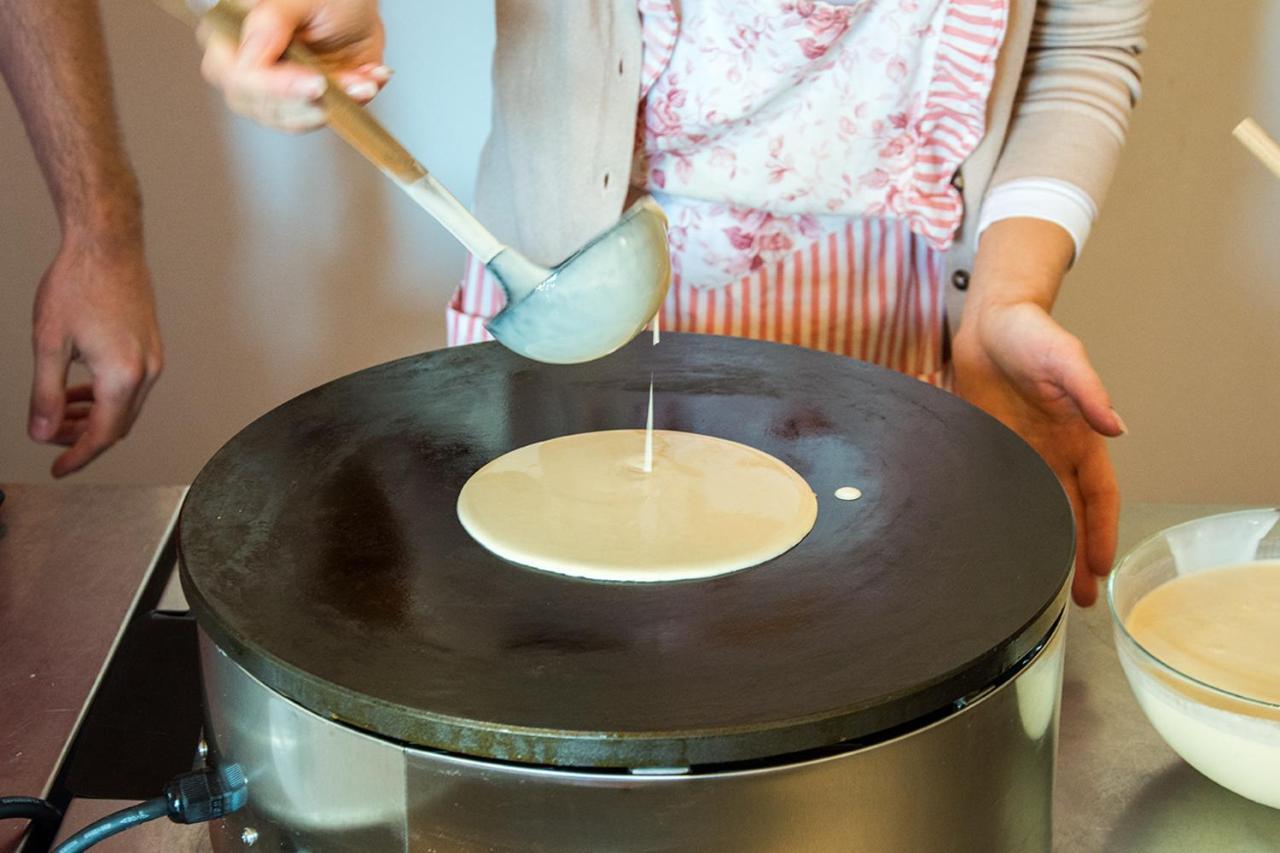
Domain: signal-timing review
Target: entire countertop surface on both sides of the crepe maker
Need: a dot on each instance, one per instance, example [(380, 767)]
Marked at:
[(1119, 787)]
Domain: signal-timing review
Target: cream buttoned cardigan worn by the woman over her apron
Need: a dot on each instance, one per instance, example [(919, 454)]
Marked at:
[(568, 79)]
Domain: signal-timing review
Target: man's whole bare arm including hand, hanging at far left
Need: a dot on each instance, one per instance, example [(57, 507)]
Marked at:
[(95, 303)]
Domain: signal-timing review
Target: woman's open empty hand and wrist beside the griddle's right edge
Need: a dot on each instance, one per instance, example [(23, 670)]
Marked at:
[(1014, 362)]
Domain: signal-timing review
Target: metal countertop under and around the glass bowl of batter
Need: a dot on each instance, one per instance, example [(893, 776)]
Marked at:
[(1121, 790)]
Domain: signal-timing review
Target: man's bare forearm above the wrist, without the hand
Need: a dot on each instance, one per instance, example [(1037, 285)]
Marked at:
[(54, 61)]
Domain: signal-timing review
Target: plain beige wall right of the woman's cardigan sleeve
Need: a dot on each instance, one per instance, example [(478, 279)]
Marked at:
[(1178, 295)]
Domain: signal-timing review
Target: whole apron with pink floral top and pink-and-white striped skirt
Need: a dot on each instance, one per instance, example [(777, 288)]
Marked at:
[(807, 206)]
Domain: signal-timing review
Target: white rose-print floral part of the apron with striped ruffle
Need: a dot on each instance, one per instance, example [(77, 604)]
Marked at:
[(769, 125)]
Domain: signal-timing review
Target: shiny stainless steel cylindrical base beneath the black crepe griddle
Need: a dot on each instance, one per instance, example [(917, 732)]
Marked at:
[(977, 779)]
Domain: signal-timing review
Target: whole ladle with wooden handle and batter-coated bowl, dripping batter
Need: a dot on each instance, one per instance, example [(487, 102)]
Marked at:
[(583, 309)]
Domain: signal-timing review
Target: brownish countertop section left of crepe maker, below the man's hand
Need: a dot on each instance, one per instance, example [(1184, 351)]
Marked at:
[(74, 560)]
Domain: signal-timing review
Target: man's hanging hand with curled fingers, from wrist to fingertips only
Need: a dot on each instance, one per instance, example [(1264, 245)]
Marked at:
[(95, 307)]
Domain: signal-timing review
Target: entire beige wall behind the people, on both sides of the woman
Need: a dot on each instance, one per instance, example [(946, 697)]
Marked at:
[(285, 262)]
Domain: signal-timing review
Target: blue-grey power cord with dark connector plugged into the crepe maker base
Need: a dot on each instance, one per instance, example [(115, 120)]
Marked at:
[(191, 799)]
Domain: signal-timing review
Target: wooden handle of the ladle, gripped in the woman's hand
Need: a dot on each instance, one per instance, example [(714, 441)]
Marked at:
[(348, 118)]
